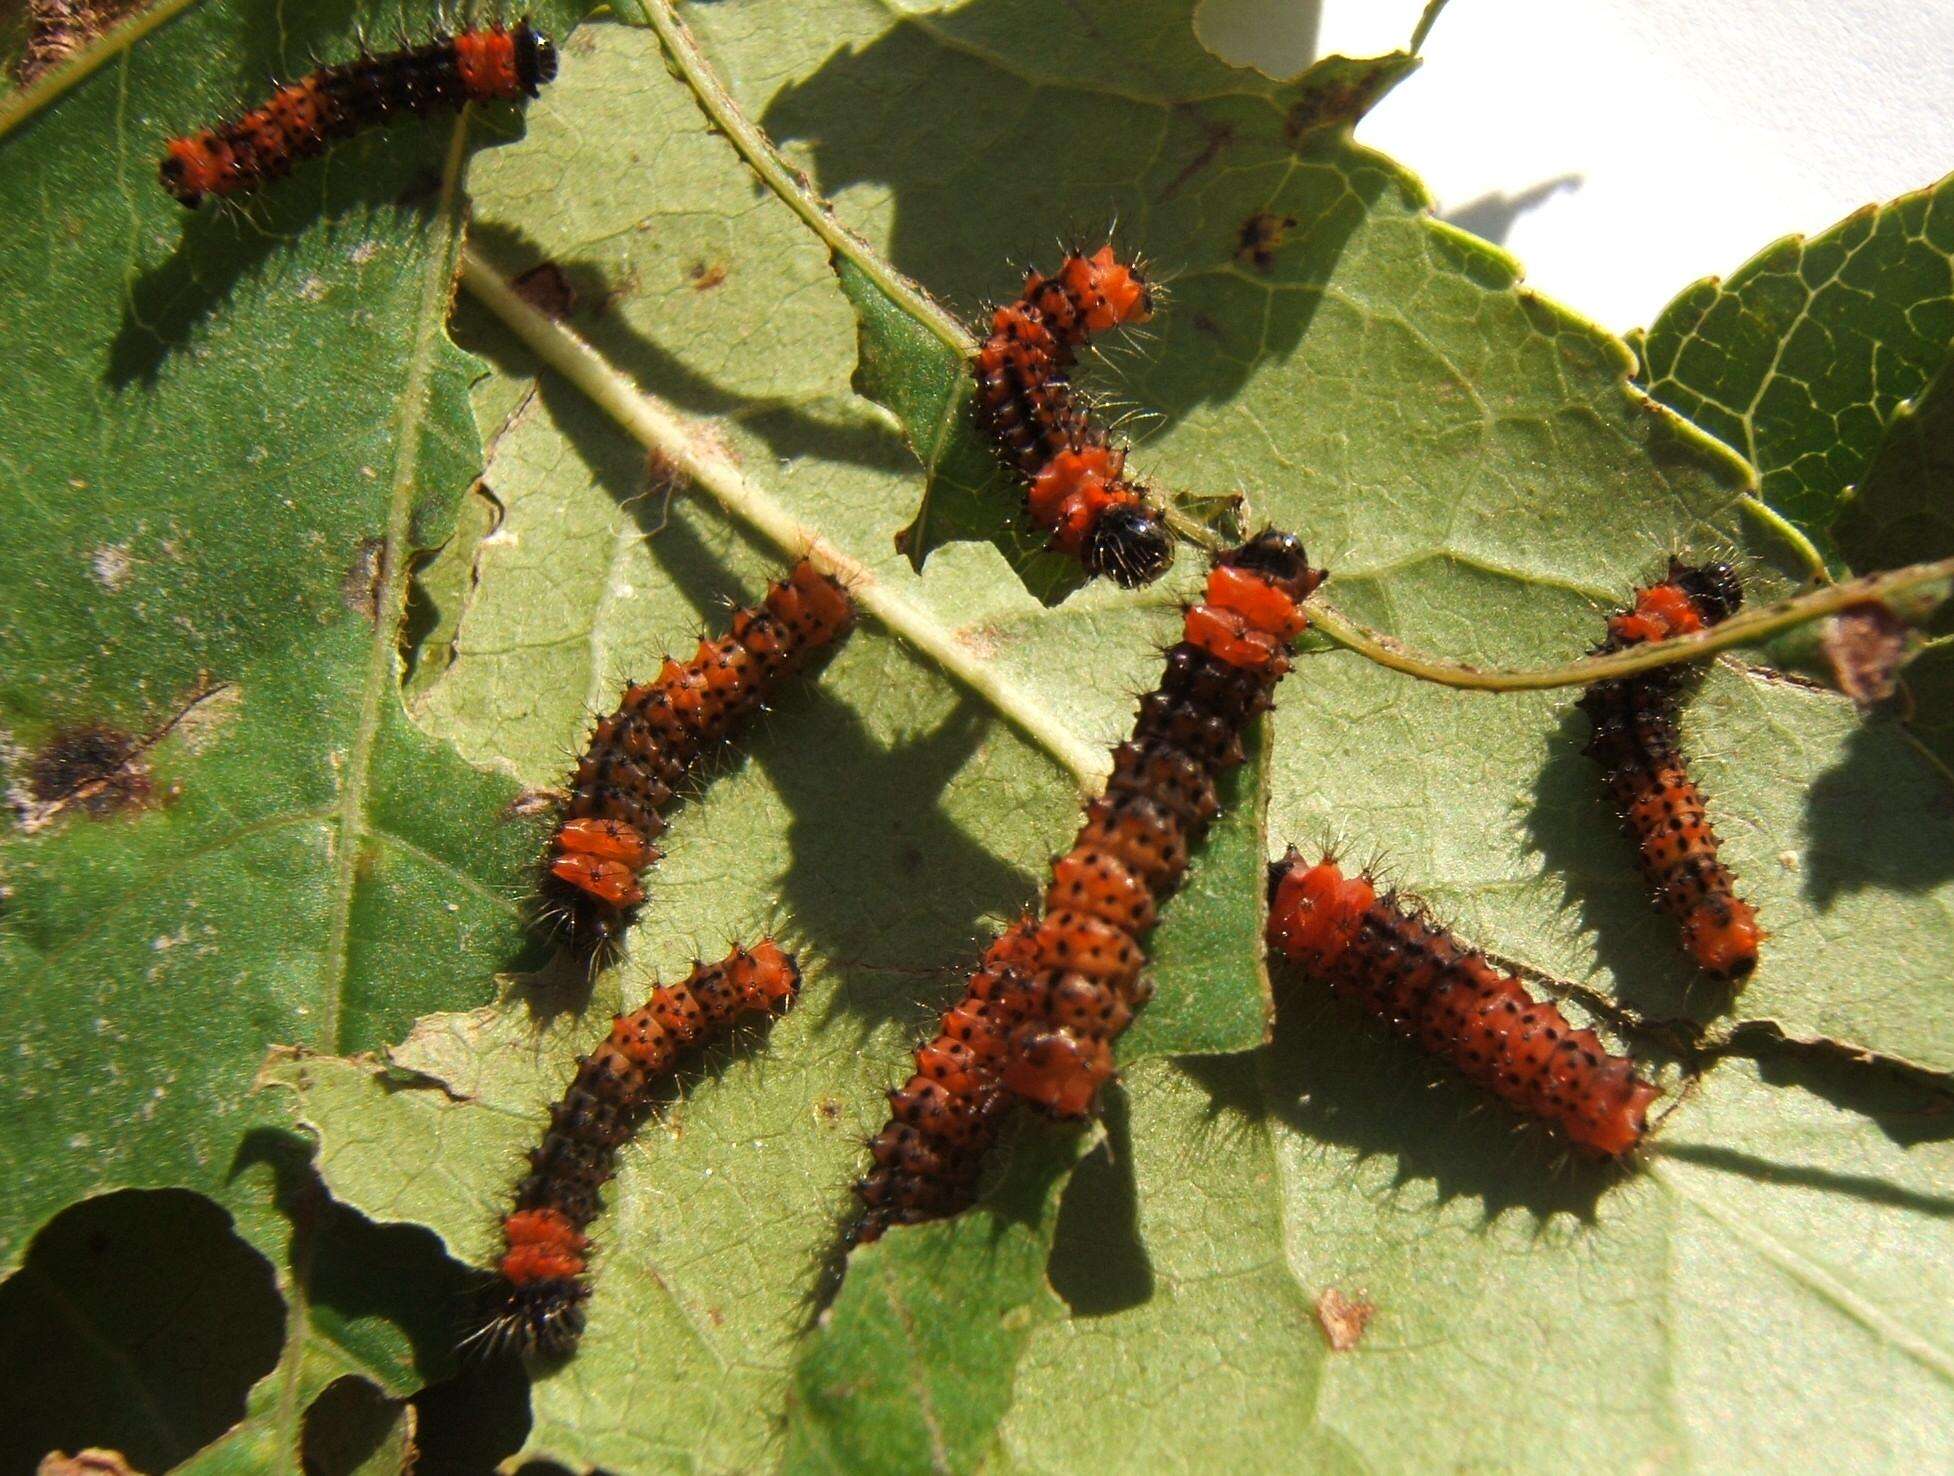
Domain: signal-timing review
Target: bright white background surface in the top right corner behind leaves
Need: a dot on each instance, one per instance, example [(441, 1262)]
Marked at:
[(1627, 148)]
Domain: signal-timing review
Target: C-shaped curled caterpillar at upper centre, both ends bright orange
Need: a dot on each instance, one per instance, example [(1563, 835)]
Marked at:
[(1044, 433)]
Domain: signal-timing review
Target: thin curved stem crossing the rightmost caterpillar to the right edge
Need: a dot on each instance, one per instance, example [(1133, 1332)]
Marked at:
[(1740, 630)]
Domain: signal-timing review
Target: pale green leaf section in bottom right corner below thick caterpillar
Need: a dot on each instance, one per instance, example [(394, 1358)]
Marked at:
[(1627, 1319)]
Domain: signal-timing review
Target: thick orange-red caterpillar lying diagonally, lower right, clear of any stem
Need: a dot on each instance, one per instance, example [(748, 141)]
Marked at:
[(1429, 986)]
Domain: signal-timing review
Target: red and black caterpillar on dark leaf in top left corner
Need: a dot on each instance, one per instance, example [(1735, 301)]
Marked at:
[(335, 103)]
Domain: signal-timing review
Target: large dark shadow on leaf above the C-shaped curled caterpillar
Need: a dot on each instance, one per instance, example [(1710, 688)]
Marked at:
[(1209, 169)]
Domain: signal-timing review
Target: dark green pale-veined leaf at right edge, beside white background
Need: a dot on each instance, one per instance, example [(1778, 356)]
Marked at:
[(1805, 355)]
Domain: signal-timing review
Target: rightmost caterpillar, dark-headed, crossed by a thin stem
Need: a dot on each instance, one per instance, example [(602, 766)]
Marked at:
[(1638, 746)]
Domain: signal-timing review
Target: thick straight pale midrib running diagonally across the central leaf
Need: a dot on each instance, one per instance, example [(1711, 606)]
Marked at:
[(695, 455)]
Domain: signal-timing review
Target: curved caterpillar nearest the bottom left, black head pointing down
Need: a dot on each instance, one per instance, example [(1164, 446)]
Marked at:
[(546, 1250)]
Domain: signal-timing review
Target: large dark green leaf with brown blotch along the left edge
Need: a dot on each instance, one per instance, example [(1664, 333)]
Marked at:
[(235, 429)]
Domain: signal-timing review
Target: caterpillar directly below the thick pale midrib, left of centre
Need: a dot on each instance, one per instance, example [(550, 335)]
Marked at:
[(638, 756)]
